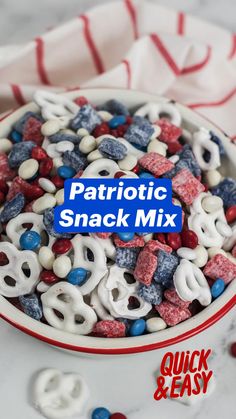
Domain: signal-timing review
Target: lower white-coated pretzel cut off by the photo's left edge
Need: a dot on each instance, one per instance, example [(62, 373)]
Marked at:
[(22, 283)]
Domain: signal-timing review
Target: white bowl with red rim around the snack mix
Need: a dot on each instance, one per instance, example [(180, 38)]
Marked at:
[(129, 345)]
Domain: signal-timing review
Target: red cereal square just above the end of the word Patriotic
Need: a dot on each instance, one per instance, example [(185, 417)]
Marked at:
[(156, 163)]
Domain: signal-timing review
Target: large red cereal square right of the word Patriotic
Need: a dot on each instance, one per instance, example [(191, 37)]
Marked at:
[(187, 186)]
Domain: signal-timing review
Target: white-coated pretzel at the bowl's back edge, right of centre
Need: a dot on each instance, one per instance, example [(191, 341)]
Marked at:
[(154, 112)]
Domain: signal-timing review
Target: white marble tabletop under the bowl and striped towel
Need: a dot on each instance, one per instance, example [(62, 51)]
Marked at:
[(124, 384)]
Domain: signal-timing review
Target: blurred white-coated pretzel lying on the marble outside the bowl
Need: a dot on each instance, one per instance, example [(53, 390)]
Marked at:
[(58, 395)]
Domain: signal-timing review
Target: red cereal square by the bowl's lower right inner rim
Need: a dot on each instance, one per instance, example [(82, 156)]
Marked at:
[(172, 314)]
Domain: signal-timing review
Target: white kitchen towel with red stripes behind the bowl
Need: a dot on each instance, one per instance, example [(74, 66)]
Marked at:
[(129, 44)]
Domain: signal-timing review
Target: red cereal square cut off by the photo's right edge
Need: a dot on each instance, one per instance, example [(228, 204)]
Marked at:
[(220, 267)]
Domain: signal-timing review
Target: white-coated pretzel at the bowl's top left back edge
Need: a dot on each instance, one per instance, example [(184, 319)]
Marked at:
[(55, 106)]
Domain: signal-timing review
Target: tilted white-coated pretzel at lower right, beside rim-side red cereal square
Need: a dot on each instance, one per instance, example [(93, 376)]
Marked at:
[(191, 284)]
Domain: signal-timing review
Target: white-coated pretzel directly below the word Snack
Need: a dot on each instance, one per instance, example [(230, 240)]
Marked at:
[(97, 267)]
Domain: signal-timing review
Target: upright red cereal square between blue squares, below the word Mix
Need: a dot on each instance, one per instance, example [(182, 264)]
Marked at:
[(145, 267)]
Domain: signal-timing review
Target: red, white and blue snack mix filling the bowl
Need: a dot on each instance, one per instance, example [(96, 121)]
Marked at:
[(105, 284)]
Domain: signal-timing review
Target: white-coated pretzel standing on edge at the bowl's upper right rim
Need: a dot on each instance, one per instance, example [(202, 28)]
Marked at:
[(200, 144)]
